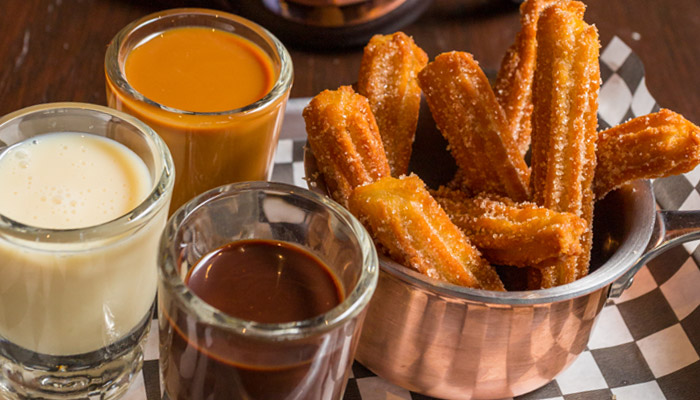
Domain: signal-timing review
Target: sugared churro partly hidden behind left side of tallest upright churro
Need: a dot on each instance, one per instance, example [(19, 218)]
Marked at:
[(513, 87)]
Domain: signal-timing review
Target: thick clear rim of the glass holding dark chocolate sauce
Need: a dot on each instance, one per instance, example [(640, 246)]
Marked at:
[(353, 304)]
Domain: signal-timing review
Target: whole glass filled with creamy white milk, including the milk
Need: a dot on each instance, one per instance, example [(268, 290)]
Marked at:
[(84, 199)]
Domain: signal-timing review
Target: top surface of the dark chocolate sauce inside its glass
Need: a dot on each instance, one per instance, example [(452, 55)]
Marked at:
[(264, 281)]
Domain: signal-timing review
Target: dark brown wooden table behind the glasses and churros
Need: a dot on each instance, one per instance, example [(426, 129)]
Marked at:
[(53, 50)]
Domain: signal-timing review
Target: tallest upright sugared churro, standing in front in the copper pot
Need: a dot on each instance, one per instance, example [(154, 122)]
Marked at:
[(564, 120)]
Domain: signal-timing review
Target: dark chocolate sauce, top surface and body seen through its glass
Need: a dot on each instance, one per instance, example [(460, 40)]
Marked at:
[(258, 280)]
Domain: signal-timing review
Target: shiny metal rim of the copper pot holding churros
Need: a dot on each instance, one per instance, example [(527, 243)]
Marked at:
[(641, 200)]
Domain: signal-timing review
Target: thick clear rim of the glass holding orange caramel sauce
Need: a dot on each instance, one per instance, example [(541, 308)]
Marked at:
[(115, 73)]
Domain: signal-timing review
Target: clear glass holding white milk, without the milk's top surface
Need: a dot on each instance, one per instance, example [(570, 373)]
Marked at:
[(76, 304)]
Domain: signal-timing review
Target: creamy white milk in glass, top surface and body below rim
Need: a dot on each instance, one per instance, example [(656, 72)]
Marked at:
[(76, 302)]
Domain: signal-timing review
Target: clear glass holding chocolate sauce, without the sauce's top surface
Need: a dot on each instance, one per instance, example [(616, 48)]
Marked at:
[(206, 353)]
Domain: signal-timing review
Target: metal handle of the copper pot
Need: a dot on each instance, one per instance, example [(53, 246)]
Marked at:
[(671, 229)]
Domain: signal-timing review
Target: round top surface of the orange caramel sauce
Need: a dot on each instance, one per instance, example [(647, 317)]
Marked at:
[(200, 70)]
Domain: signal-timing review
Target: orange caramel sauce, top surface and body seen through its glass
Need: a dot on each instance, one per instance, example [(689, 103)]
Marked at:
[(195, 81)]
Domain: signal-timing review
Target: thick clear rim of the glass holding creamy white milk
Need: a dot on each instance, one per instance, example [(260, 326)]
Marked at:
[(156, 199)]
